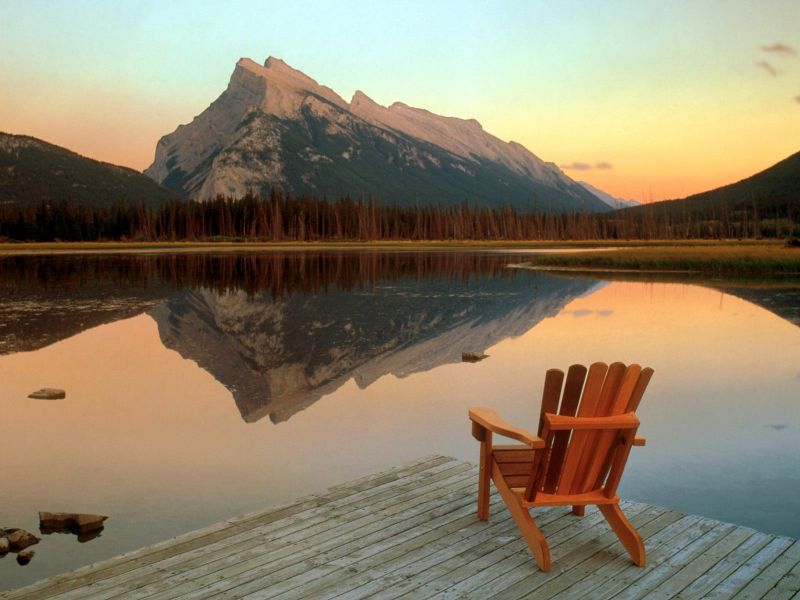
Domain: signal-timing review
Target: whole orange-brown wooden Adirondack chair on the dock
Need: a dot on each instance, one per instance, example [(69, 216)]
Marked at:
[(577, 458)]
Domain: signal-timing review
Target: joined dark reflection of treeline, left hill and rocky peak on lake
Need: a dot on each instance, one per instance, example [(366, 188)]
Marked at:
[(281, 330)]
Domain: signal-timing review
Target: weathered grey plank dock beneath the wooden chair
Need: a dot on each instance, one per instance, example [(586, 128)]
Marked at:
[(411, 532)]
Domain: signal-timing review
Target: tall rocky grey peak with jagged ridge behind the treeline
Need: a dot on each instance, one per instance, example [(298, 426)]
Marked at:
[(276, 127)]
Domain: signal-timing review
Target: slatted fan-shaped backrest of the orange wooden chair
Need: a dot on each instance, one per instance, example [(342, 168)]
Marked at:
[(586, 452)]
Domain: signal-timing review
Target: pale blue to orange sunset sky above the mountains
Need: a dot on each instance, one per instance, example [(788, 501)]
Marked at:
[(644, 99)]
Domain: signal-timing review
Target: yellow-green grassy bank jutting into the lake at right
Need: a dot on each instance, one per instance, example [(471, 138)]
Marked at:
[(718, 259)]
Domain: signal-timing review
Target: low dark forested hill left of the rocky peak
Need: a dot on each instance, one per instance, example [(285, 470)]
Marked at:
[(32, 171)]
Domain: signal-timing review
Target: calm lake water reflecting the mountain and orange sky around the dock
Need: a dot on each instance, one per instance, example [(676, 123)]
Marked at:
[(199, 387)]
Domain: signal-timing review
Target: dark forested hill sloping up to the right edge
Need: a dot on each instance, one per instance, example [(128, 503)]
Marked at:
[(773, 191)]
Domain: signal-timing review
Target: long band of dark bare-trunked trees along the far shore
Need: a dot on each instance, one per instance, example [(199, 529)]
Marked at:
[(310, 219)]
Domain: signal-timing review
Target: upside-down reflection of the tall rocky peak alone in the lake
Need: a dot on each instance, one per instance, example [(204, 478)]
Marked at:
[(279, 355)]
